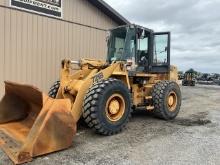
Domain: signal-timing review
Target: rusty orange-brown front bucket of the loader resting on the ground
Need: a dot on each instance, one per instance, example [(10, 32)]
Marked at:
[(32, 124)]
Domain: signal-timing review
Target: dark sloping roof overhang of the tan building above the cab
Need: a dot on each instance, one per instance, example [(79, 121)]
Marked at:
[(109, 11)]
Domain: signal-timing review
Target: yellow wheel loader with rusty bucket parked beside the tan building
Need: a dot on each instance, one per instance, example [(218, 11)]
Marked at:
[(136, 75)]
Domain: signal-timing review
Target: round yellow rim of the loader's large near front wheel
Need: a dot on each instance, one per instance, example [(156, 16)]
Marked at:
[(115, 107)]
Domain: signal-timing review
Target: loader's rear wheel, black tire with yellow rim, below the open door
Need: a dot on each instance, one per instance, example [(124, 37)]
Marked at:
[(166, 99)]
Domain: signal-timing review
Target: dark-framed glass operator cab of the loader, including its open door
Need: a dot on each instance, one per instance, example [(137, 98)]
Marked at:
[(141, 48)]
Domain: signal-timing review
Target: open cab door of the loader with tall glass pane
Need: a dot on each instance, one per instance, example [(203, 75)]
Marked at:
[(160, 61)]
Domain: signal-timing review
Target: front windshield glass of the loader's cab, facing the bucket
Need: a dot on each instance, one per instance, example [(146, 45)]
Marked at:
[(121, 44)]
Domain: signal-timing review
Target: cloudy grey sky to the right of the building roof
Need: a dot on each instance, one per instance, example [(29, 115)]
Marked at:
[(194, 26)]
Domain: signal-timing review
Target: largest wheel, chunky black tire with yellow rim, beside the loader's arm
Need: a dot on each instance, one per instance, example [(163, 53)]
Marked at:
[(97, 104)]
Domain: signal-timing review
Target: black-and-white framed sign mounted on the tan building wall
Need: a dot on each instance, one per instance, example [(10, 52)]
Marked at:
[(46, 7)]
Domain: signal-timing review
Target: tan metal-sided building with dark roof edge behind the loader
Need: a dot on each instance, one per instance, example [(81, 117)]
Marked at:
[(37, 34)]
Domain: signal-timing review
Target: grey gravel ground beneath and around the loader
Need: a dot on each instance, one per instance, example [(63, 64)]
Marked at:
[(192, 138)]
